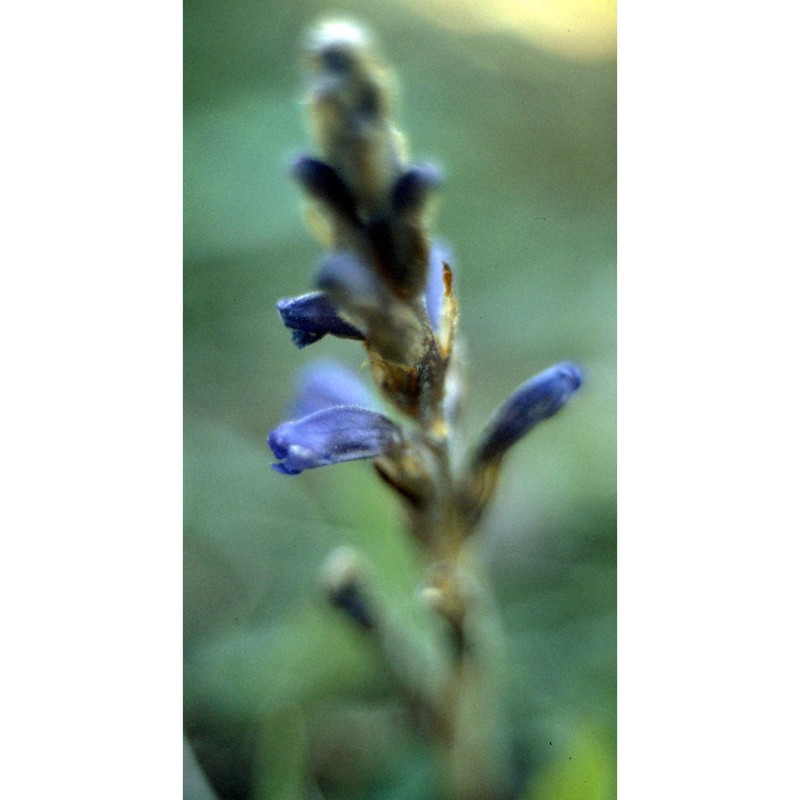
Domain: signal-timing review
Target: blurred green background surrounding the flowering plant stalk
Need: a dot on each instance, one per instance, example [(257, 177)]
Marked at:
[(522, 120)]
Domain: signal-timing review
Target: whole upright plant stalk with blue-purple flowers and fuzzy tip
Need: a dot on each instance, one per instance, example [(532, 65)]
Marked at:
[(386, 284)]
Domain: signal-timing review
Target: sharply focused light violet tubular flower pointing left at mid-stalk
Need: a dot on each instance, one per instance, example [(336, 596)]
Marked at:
[(331, 436)]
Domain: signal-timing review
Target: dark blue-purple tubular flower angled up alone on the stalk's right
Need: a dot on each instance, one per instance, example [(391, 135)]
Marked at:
[(536, 400)]
